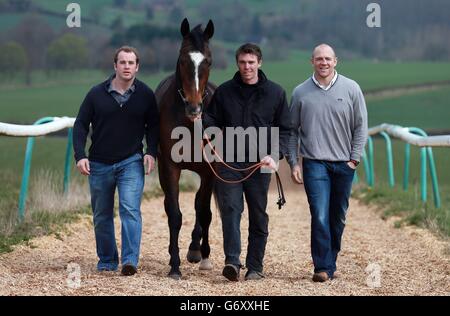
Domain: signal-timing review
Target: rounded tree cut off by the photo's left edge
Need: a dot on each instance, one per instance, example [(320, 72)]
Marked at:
[(14, 58)]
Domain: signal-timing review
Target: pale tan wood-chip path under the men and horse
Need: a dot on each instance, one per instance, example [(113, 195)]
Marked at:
[(377, 259)]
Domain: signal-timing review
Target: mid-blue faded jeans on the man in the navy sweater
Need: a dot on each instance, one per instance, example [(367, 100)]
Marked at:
[(128, 176)]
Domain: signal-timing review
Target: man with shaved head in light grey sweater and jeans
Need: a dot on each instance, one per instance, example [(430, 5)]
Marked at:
[(330, 126)]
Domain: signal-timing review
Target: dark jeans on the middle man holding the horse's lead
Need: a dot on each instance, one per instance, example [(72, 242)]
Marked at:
[(231, 205)]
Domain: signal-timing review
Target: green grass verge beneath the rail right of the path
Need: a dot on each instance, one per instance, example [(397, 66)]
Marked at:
[(408, 204)]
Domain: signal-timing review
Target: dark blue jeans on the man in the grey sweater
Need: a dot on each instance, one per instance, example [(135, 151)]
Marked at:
[(328, 186)]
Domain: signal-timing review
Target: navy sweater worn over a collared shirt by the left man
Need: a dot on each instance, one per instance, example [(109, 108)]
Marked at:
[(117, 130)]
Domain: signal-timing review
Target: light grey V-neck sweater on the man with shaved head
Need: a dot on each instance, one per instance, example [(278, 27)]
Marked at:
[(328, 125)]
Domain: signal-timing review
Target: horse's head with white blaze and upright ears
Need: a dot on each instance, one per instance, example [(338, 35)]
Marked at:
[(193, 67)]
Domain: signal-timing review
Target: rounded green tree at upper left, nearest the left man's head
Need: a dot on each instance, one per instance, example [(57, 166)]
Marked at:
[(68, 52)]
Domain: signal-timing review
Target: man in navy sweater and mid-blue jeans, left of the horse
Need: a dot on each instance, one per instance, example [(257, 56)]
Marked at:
[(122, 110)]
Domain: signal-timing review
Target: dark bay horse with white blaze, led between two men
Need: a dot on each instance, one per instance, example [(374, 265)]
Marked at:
[(181, 97)]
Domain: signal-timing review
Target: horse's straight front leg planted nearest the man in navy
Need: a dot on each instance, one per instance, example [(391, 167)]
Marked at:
[(169, 175)]
